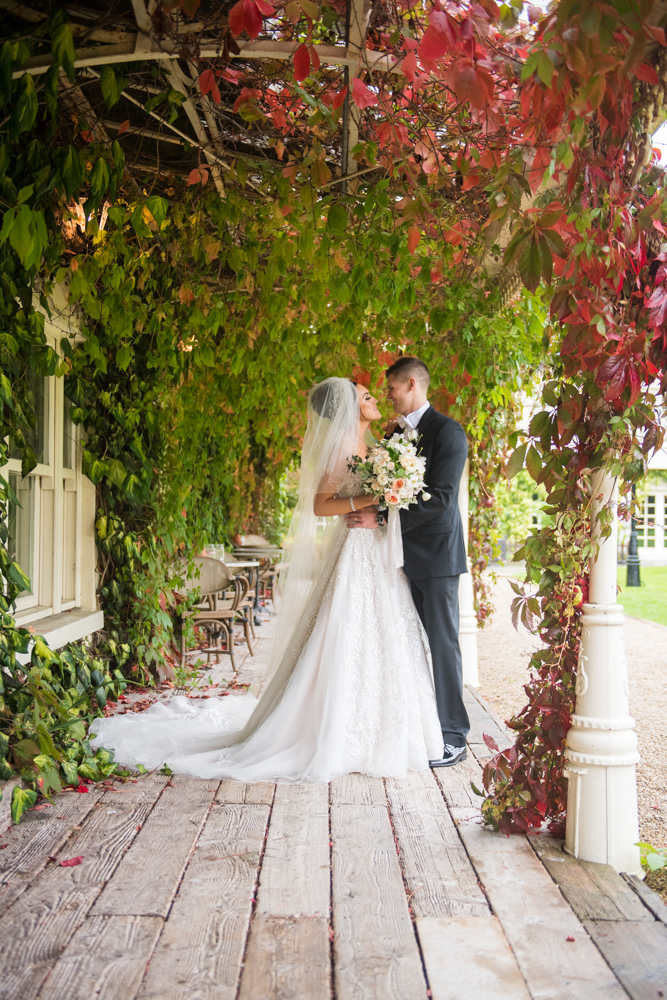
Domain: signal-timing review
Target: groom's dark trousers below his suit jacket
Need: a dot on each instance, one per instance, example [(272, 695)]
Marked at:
[(437, 603)]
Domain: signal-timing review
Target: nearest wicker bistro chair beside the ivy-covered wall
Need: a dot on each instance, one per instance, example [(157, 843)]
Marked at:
[(217, 612)]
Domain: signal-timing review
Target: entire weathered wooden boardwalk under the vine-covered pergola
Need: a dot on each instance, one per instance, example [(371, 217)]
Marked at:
[(360, 890)]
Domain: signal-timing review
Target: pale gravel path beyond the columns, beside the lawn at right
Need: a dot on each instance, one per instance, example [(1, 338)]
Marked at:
[(503, 659)]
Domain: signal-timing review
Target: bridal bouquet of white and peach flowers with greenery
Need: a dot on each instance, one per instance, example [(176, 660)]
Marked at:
[(393, 470)]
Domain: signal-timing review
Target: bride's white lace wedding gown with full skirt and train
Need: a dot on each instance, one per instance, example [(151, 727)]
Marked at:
[(360, 696)]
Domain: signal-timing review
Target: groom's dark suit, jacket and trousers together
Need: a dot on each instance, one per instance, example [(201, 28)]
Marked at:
[(434, 557)]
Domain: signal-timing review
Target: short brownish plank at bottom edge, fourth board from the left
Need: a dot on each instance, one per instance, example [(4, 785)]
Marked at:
[(287, 959)]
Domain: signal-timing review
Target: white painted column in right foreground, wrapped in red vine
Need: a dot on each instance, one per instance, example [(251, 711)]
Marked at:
[(602, 819)]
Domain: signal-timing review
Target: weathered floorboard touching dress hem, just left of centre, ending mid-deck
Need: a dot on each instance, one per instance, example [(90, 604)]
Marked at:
[(294, 881)]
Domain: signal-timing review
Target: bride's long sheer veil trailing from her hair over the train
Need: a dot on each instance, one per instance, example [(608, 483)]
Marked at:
[(309, 561)]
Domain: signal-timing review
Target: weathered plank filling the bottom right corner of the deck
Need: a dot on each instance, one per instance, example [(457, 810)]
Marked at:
[(637, 953)]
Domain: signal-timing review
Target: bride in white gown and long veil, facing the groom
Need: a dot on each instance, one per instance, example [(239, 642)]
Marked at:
[(350, 687)]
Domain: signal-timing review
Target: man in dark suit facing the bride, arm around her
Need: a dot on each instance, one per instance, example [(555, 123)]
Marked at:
[(433, 543)]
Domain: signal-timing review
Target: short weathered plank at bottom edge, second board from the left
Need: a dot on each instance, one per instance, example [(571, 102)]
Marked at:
[(105, 959)]
